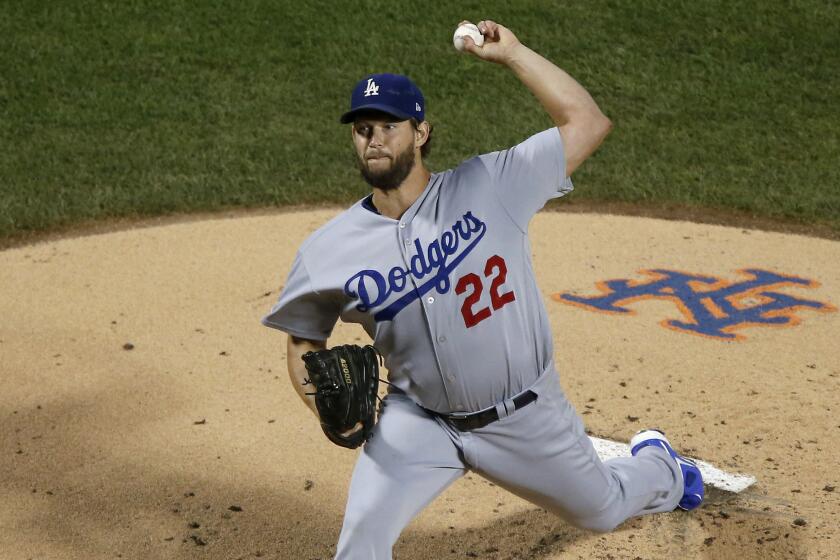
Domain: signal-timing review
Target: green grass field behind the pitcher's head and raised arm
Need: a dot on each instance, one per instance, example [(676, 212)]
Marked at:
[(141, 108)]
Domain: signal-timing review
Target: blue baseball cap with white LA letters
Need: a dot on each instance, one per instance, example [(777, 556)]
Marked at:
[(391, 93)]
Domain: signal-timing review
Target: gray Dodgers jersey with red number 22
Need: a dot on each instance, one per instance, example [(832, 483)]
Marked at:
[(447, 292)]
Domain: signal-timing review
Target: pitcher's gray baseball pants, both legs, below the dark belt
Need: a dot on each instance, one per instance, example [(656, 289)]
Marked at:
[(540, 453)]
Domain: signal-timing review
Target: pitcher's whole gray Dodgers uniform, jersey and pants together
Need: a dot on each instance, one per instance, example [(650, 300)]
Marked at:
[(448, 295)]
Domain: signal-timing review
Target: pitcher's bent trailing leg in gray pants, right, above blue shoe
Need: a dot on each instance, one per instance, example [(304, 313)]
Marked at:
[(552, 463)]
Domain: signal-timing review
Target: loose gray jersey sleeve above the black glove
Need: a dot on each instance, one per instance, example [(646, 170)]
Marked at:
[(301, 311)]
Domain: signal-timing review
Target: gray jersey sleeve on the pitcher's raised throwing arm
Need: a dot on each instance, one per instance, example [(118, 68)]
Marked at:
[(529, 174)]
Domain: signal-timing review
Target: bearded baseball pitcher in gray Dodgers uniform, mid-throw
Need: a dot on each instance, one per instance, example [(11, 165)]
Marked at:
[(437, 269)]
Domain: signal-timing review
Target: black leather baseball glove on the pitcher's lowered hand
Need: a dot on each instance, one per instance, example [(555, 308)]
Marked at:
[(346, 380)]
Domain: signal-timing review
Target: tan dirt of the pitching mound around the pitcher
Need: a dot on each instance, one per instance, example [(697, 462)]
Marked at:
[(146, 413)]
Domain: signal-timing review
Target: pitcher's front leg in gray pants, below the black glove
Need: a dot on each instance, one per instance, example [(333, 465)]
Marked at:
[(408, 461)]
